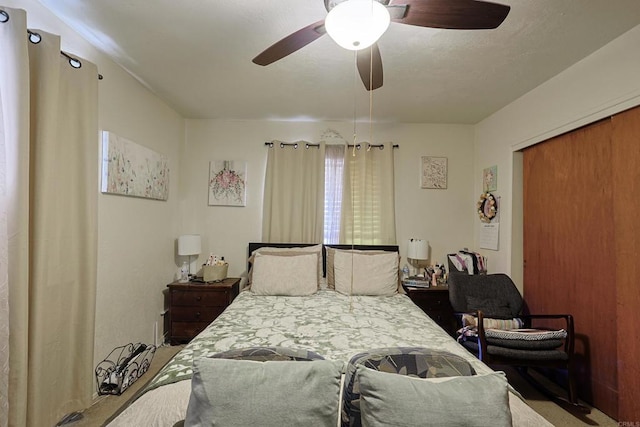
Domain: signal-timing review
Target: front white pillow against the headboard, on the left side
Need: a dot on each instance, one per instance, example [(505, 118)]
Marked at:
[(292, 275)]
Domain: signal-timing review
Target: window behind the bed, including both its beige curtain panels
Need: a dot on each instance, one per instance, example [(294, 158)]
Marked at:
[(306, 197)]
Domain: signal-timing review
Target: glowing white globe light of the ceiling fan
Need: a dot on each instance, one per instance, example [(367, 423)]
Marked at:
[(357, 24)]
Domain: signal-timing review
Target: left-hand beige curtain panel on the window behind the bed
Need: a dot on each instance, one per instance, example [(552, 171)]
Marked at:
[(293, 210)]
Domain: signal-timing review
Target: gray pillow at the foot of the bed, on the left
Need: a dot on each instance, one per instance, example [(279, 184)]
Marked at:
[(274, 393)]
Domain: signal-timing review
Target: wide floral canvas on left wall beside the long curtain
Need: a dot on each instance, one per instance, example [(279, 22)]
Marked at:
[(129, 169)]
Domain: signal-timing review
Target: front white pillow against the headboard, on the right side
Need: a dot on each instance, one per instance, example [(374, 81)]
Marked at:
[(372, 274)]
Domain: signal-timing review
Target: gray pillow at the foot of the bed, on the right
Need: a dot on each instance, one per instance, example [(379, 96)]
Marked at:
[(392, 400)]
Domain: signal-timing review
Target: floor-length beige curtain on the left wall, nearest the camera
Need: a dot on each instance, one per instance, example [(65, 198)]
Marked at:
[(51, 152)]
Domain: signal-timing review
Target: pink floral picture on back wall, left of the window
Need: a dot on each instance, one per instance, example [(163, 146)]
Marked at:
[(227, 183)]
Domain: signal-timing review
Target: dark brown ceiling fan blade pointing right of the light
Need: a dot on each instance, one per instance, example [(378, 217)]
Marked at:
[(454, 14)]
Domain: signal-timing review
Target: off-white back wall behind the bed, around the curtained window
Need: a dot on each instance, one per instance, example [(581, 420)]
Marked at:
[(441, 216)]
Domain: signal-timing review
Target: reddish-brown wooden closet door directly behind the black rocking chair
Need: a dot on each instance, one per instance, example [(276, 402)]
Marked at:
[(569, 250)]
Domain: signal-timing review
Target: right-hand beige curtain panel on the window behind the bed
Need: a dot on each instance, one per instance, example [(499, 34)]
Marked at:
[(368, 200)]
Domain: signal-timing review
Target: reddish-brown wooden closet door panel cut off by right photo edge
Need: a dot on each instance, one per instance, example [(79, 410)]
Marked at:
[(626, 208)]
